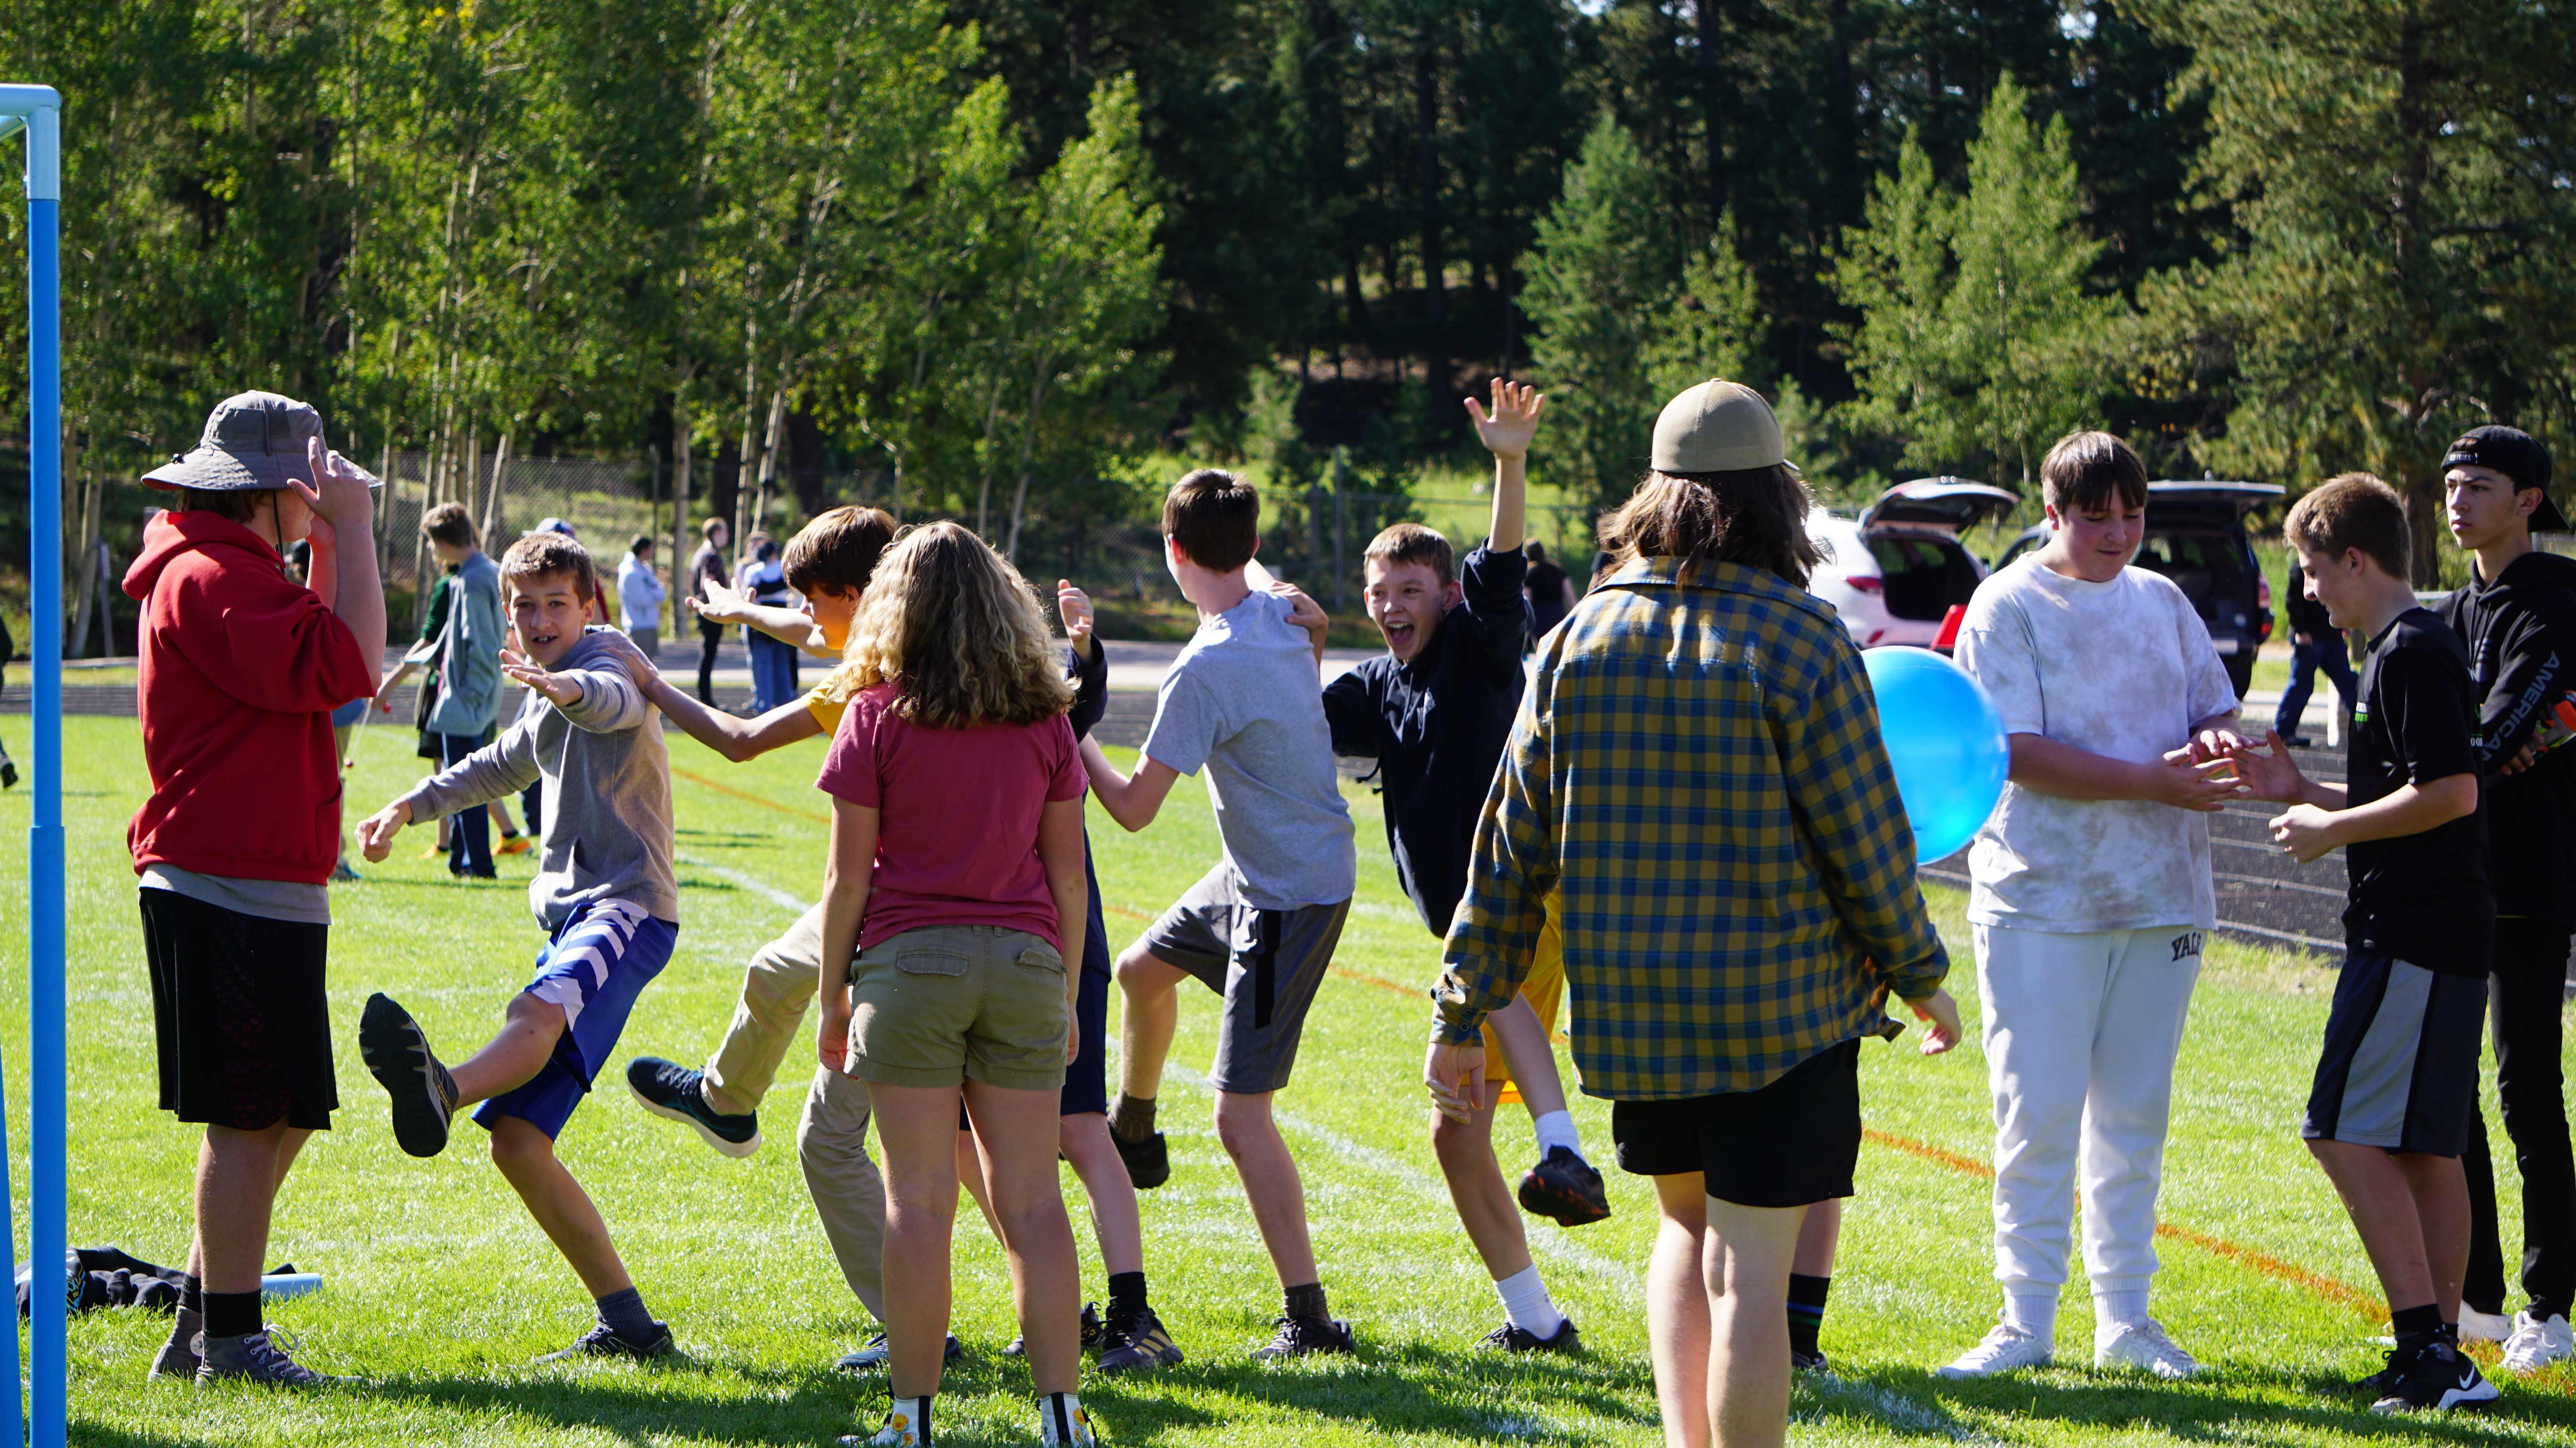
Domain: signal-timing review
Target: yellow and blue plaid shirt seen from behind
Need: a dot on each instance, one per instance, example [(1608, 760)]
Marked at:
[(1696, 769)]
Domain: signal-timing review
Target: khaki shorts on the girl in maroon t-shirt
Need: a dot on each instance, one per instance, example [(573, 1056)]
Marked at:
[(954, 1004)]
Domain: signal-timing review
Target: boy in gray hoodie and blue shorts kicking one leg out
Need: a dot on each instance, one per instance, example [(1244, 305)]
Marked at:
[(607, 895)]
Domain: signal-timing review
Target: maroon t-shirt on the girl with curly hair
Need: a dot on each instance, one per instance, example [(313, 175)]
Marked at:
[(957, 831)]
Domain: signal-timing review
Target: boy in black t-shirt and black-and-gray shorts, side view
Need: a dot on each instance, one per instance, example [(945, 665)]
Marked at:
[(2400, 1076)]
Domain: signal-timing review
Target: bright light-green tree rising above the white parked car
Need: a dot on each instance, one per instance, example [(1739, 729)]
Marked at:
[(1977, 339)]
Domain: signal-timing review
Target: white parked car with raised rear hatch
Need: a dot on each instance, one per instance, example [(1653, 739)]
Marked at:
[(1900, 568)]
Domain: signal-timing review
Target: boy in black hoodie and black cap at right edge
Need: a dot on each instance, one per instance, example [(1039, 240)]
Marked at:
[(2518, 620)]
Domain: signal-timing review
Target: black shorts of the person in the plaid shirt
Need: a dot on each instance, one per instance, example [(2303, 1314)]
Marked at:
[(1792, 1143)]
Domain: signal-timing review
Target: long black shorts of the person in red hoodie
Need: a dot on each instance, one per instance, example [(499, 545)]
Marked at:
[(238, 1014)]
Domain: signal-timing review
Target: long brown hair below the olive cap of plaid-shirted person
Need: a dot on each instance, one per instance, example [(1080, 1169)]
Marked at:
[(1753, 517)]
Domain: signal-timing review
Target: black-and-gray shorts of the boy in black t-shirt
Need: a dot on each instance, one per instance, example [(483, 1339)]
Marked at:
[(2402, 1060)]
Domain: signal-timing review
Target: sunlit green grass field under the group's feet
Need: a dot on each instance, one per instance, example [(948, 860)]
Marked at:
[(439, 1287)]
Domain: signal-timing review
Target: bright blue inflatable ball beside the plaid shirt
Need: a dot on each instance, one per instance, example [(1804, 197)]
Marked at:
[(1946, 743)]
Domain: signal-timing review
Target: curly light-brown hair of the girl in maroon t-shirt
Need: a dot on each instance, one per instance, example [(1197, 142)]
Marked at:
[(960, 630)]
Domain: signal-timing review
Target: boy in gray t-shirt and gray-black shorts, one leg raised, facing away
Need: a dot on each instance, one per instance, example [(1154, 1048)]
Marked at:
[(1261, 926)]
